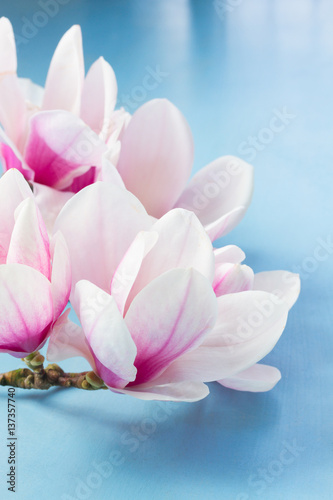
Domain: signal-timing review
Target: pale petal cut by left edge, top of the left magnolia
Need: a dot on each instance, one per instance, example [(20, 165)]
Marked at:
[(13, 190)]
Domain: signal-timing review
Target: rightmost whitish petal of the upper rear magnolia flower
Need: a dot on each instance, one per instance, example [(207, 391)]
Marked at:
[(219, 194)]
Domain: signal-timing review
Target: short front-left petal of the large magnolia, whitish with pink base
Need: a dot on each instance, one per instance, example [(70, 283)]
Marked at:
[(107, 335)]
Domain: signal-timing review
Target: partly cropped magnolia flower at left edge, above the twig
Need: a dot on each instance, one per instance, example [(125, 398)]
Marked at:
[(35, 275)]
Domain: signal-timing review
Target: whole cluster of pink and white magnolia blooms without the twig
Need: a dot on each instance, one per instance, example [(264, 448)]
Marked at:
[(96, 207)]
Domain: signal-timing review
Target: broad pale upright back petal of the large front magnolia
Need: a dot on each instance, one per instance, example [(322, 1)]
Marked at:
[(99, 224)]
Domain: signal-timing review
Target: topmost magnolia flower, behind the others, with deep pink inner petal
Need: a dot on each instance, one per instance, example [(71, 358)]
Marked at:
[(68, 136)]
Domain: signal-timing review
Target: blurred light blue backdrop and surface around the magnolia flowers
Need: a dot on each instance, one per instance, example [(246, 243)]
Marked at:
[(233, 67)]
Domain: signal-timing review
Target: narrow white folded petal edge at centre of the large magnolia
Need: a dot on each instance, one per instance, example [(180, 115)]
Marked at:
[(128, 269)]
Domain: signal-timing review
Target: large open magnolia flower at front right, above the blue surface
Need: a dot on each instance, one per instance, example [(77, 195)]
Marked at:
[(161, 312)]
